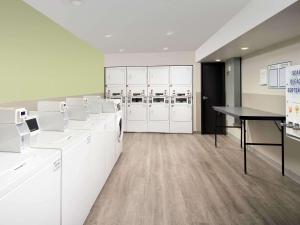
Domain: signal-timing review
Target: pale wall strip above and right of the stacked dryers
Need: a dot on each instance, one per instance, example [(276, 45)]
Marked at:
[(162, 58)]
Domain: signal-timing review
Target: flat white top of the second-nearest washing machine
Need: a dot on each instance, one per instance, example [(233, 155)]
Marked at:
[(57, 140)]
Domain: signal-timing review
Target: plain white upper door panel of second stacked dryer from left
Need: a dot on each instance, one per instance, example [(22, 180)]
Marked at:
[(136, 75)]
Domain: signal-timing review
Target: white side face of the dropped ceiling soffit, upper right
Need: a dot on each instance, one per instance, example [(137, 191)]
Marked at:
[(253, 14)]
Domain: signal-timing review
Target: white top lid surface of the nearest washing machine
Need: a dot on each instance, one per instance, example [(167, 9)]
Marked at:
[(15, 168)]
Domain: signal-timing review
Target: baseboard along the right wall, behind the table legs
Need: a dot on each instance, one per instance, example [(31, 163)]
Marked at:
[(289, 173)]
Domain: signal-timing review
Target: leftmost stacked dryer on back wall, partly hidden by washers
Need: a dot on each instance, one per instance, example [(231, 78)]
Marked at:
[(115, 85)]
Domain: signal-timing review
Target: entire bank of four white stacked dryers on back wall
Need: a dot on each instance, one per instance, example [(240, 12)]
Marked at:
[(154, 99)]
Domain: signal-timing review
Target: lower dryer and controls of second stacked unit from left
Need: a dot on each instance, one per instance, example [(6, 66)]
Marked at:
[(137, 109)]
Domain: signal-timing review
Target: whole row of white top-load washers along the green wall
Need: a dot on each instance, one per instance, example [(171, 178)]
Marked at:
[(51, 168)]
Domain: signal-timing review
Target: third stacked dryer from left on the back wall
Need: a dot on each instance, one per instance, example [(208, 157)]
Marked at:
[(158, 92)]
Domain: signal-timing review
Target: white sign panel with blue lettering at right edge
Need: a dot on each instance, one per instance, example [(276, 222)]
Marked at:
[(293, 101)]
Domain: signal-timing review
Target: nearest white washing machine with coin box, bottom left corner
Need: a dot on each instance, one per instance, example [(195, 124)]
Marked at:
[(30, 180)]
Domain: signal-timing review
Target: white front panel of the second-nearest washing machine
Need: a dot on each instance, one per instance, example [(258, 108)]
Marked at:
[(75, 196)]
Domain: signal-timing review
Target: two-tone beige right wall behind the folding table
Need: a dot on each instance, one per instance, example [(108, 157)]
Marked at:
[(272, 100)]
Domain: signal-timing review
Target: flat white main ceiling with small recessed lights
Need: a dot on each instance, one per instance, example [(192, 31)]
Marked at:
[(141, 25)]
